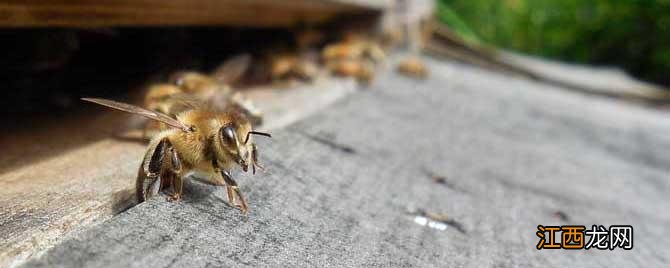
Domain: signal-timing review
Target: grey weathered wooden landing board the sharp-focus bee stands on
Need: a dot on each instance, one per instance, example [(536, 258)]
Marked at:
[(341, 186)]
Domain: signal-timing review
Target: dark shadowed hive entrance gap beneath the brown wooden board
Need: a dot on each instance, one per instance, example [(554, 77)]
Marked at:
[(47, 70)]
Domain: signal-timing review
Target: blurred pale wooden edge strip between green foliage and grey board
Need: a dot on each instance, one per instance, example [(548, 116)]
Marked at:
[(603, 81)]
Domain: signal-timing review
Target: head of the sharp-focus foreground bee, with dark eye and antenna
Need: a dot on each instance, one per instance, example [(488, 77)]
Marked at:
[(240, 150)]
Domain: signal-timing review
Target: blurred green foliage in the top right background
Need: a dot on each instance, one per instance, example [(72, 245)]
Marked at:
[(631, 34)]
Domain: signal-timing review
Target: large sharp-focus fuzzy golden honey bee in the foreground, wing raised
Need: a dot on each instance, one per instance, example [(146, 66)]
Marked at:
[(199, 141)]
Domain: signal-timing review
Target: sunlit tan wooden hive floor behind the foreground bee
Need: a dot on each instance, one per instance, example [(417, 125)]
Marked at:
[(60, 174)]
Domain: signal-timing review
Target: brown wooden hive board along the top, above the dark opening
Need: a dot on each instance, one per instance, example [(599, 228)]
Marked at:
[(264, 13)]
